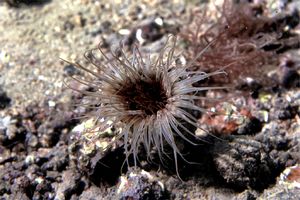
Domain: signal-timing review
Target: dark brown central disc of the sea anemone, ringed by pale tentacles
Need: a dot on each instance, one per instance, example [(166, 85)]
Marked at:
[(148, 96)]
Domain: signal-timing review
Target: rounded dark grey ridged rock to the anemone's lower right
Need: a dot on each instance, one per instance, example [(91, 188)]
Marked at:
[(244, 163)]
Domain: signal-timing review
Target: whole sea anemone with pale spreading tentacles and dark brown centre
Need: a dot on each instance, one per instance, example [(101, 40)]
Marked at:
[(149, 97)]
